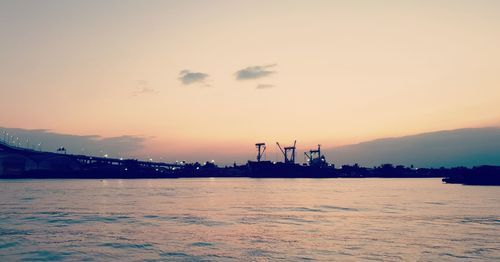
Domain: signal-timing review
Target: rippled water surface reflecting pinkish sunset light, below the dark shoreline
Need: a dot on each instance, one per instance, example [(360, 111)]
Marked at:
[(248, 220)]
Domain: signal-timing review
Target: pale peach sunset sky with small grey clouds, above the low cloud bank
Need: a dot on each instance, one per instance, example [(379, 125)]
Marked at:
[(198, 79)]
